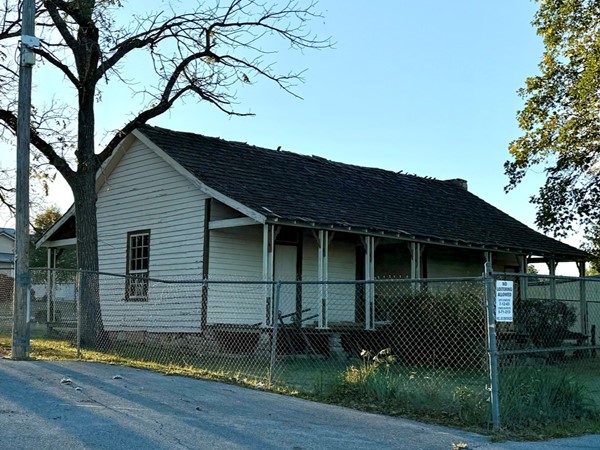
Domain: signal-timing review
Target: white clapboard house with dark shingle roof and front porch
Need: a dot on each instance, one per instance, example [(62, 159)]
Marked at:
[(175, 204)]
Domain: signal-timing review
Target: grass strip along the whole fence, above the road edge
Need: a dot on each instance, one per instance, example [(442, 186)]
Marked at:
[(536, 402)]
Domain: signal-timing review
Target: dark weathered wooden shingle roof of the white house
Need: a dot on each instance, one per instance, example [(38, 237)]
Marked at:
[(286, 186)]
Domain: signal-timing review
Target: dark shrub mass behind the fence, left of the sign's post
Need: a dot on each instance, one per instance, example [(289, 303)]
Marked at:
[(428, 328)]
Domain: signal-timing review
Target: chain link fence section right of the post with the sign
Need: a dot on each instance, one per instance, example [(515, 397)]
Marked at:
[(548, 368)]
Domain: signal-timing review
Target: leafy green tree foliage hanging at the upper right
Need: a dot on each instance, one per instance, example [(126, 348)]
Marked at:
[(561, 117)]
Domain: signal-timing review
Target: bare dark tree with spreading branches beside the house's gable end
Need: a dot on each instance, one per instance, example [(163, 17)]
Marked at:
[(201, 53)]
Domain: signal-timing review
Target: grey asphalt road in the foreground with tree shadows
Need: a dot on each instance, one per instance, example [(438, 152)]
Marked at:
[(98, 406)]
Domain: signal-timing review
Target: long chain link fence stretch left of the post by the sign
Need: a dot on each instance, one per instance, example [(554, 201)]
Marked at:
[(416, 347)]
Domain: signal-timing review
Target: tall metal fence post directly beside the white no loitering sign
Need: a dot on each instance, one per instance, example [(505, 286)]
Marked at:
[(492, 345)]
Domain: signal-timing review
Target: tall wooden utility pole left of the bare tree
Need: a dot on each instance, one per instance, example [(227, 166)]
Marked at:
[(20, 336)]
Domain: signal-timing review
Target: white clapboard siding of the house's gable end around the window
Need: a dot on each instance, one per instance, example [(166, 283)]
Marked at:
[(144, 192)]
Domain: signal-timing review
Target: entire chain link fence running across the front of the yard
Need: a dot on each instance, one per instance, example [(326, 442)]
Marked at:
[(414, 347)]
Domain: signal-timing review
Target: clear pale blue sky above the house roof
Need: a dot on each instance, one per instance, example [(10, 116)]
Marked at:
[(423, 87)]
